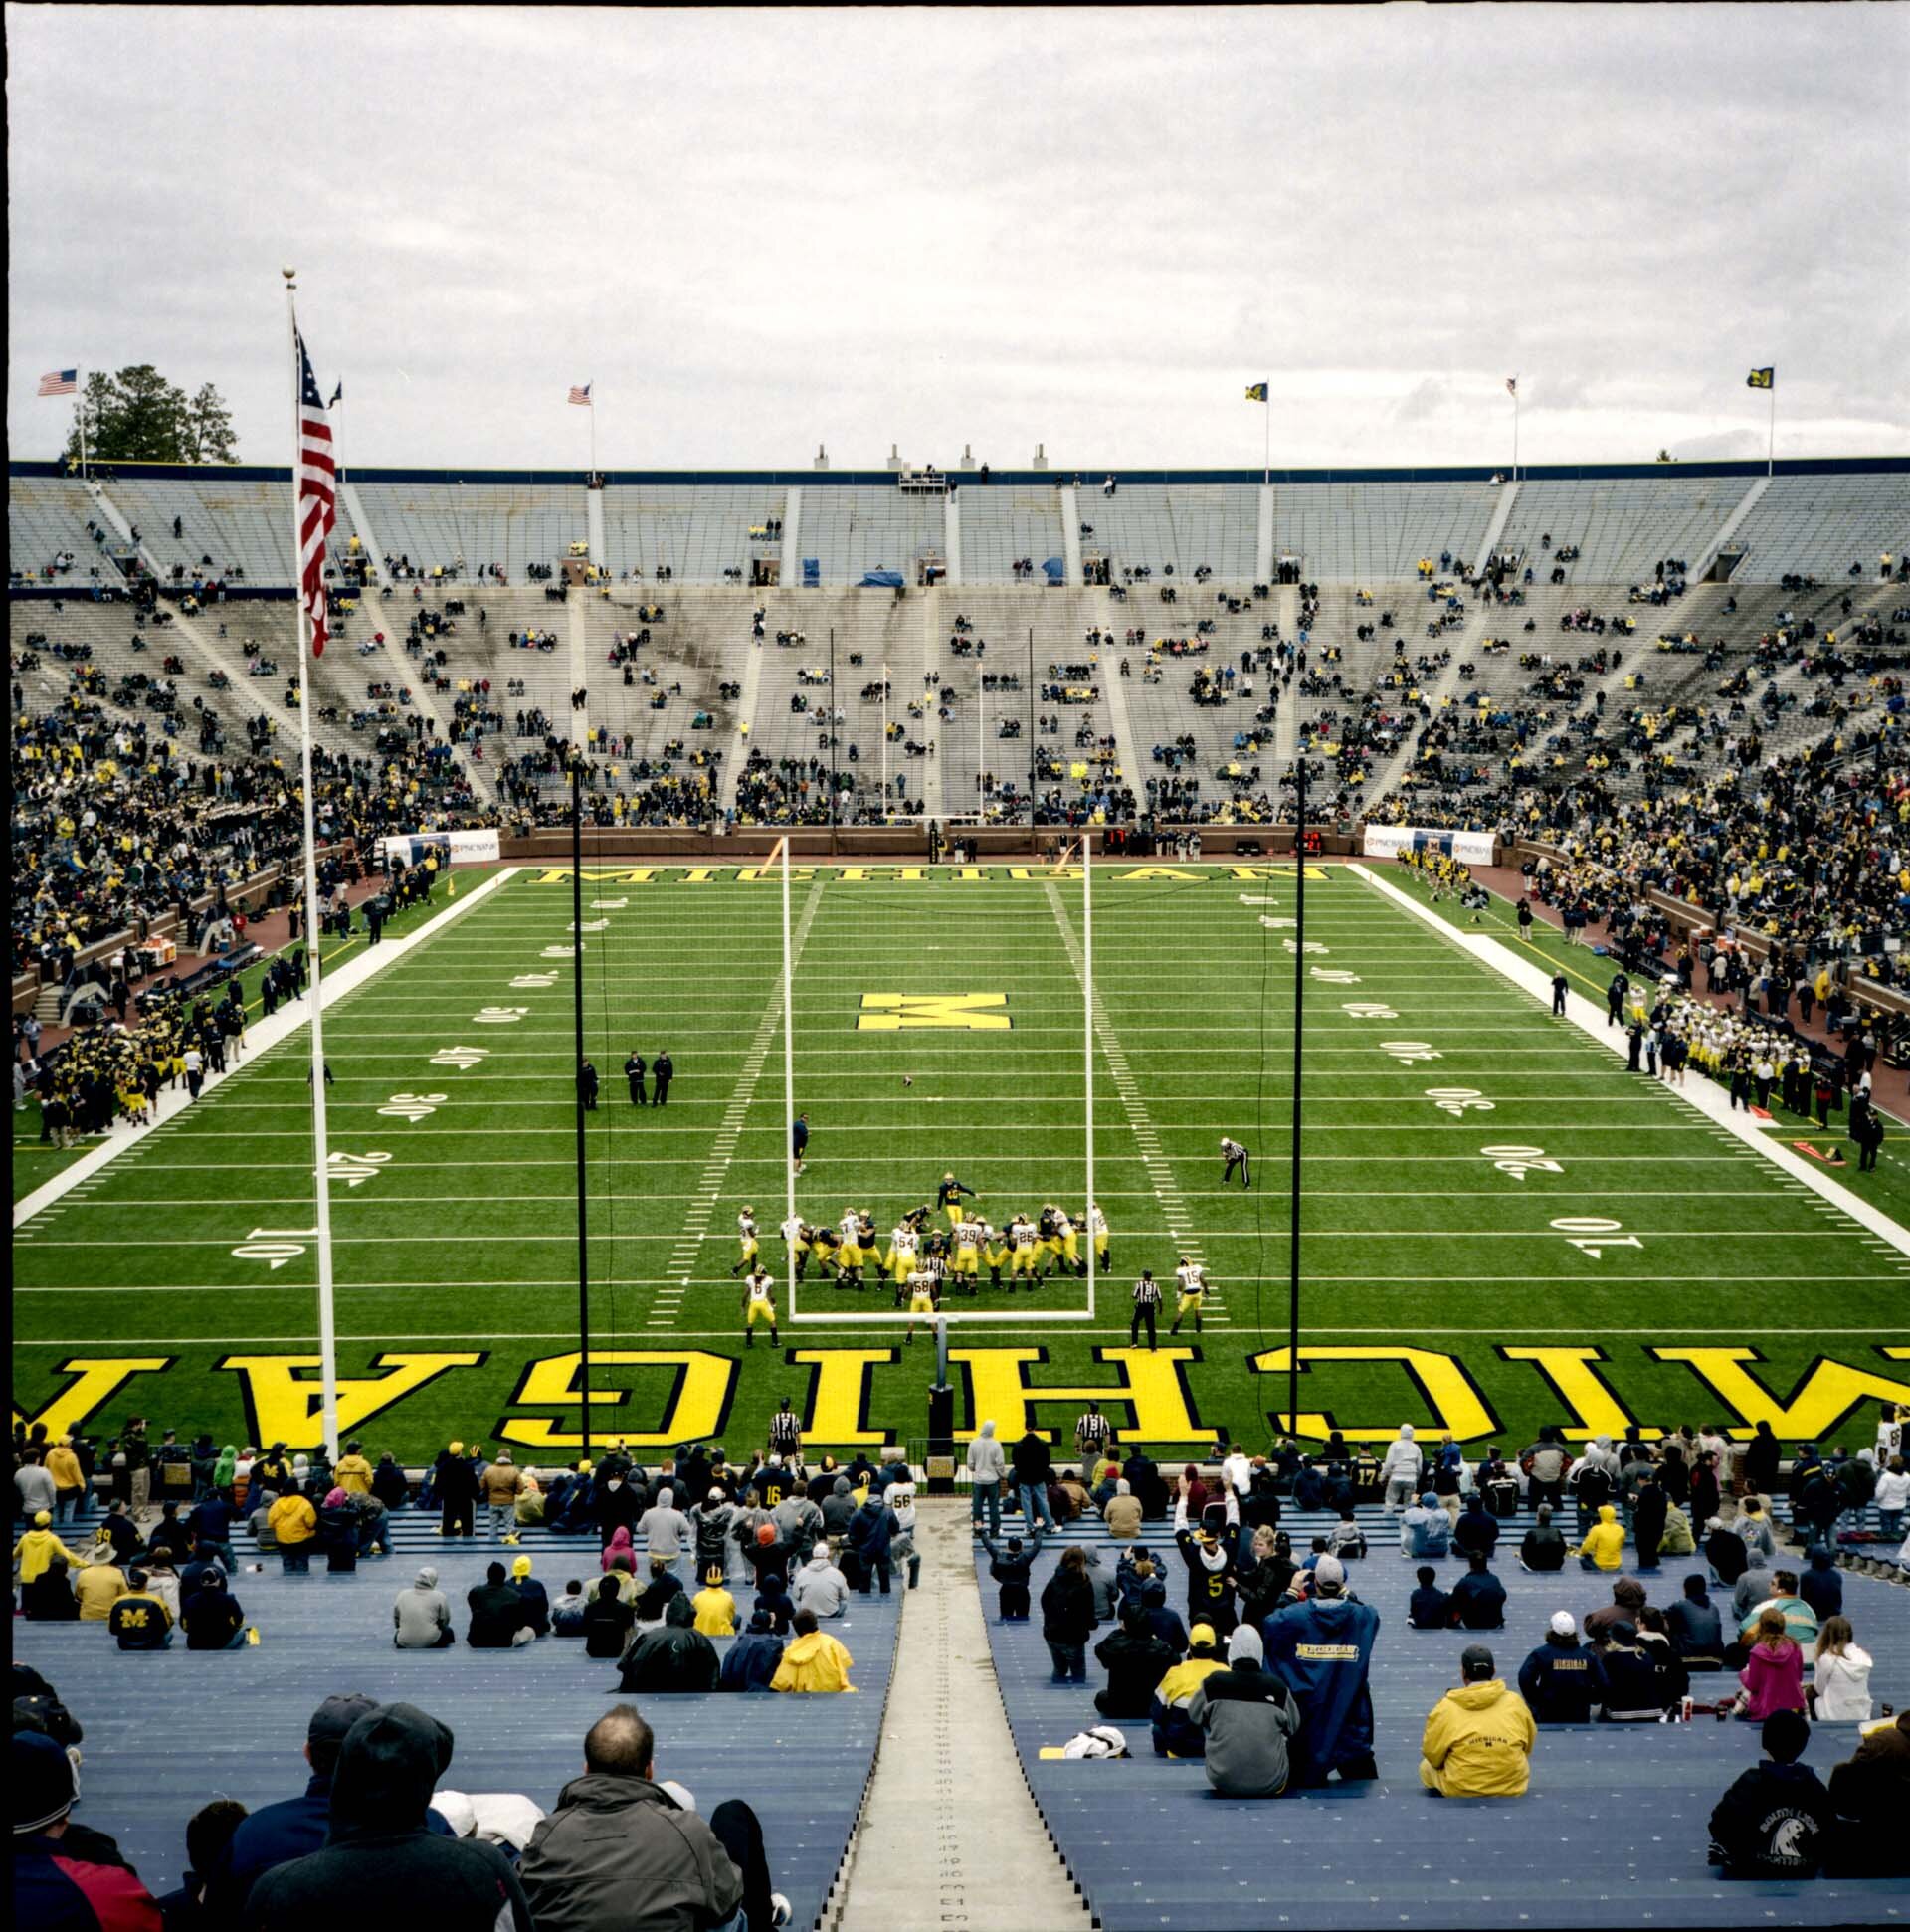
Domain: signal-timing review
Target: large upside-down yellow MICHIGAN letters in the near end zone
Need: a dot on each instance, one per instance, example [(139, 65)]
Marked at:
[(673, 1396)]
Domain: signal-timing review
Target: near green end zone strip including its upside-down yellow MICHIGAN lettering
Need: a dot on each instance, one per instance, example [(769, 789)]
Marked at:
[(862, 1398)]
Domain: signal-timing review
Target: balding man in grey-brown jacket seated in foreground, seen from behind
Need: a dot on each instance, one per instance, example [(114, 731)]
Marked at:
[(623, 1850)]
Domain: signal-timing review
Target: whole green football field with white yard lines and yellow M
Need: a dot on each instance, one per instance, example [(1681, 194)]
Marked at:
[(1502, 1226)]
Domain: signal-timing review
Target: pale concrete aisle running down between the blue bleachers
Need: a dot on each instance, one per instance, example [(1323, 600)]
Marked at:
[(949, 1833)]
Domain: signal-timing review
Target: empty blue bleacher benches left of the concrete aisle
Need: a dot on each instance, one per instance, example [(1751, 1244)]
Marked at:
[(169, 1732)]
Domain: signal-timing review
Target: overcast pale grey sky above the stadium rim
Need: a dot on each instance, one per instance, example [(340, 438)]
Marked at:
[(766, 231)]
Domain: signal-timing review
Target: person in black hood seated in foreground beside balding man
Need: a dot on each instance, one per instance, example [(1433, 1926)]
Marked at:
[(381, 1844)]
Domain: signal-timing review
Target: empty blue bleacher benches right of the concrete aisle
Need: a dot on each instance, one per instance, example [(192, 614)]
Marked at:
[(1614, 1829)]
